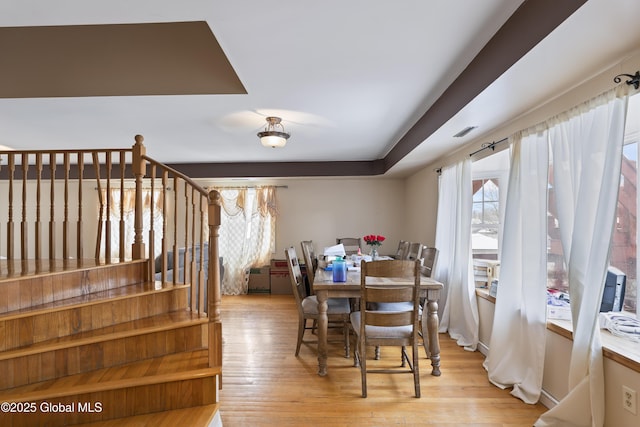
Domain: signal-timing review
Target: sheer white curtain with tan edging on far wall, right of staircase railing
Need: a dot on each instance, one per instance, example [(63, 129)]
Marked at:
[(247, 234)]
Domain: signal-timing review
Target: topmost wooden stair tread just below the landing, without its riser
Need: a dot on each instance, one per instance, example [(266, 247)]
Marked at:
[(121, 292)]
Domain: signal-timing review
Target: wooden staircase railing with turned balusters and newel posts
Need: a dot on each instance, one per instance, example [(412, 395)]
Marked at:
[(62, 181)]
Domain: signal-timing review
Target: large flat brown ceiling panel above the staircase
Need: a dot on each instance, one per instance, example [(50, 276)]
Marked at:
[(167, 58)]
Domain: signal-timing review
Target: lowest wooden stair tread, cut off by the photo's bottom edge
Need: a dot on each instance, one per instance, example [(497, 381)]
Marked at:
[(197, 416)]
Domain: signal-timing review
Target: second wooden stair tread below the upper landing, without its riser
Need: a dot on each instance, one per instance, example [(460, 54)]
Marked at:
[(162, 322)]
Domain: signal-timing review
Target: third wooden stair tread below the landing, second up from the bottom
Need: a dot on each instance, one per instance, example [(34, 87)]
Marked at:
[(169, 368)]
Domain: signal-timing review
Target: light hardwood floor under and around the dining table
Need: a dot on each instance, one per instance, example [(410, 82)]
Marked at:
[(264, 384)]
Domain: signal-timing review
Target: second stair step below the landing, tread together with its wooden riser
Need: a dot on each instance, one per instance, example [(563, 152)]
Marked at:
[(101, 348)]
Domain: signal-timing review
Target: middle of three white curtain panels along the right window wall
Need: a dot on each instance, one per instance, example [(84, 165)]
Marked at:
[(517, 347)]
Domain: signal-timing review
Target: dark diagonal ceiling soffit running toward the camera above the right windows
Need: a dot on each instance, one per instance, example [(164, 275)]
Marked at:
[(529, 24)]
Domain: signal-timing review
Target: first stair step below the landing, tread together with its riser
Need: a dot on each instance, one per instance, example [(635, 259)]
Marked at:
[(44, 322)]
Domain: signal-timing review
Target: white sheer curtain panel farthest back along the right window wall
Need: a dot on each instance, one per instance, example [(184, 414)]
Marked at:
[(454, 267)]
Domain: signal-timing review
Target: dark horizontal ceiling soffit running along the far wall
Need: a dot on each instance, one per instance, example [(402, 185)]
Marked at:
[(280, 169)]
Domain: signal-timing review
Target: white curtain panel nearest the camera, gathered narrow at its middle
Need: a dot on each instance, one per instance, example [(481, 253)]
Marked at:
[(586, 145)]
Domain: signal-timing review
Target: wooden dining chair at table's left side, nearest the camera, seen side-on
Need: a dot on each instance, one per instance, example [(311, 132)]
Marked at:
[(338, 309)]
